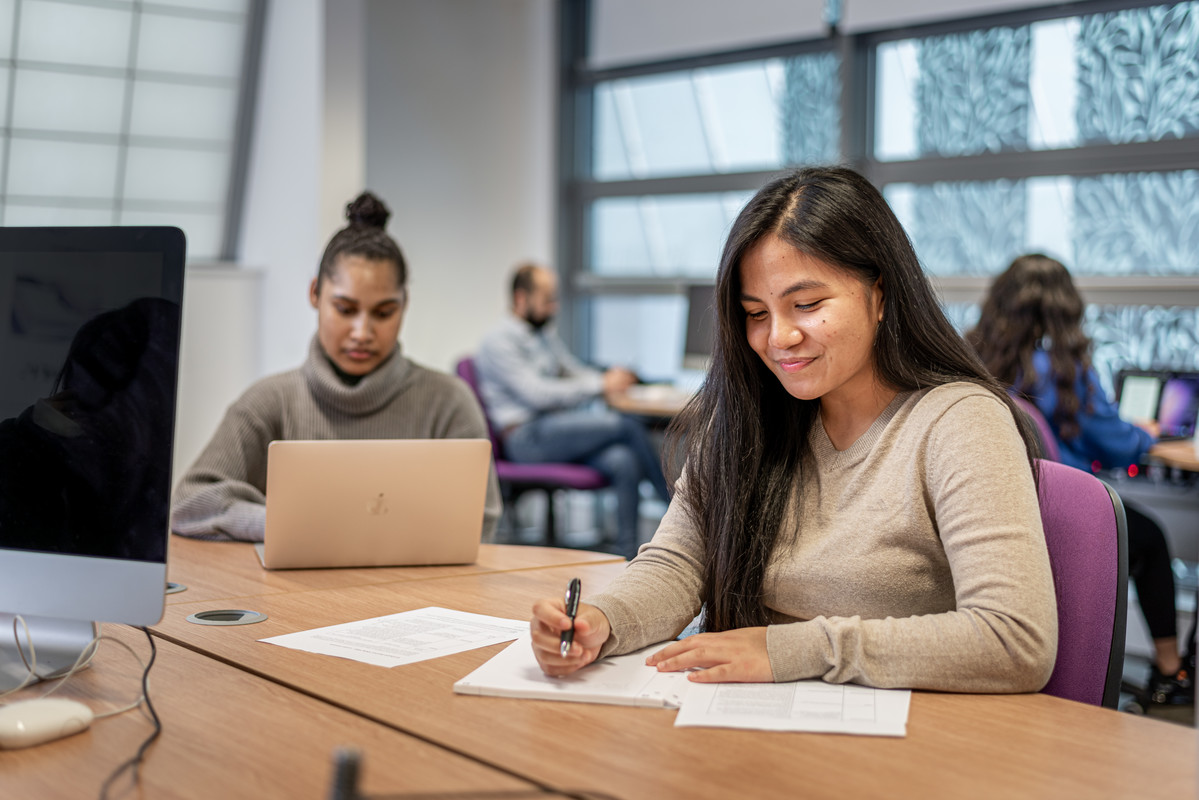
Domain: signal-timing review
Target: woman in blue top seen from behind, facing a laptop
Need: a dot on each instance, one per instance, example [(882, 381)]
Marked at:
[(1031, 336)]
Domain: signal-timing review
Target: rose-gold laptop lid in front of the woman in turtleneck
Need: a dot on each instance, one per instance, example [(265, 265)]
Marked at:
[(375, 502)]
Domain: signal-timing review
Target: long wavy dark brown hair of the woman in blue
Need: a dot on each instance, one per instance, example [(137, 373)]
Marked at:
[(1034, 304)]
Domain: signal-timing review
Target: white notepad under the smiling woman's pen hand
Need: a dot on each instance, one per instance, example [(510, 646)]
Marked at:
[(618, 681)]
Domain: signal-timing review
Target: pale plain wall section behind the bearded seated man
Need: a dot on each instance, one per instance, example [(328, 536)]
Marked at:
[(461, 99)]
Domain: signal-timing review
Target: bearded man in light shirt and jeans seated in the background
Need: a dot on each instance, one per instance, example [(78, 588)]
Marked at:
[(537, 394)]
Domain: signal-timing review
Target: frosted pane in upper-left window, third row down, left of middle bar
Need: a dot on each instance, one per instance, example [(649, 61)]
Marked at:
[(62, 170)]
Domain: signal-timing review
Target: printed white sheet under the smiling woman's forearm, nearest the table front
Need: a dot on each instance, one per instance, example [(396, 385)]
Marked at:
[(809, 706)]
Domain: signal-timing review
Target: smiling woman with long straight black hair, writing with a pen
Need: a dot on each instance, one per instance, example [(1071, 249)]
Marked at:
[(858, 501)]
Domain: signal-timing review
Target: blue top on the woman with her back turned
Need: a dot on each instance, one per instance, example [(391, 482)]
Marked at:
[(1104, 437)]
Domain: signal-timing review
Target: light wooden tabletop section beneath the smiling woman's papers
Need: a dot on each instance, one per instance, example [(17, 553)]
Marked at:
[(978, 747)]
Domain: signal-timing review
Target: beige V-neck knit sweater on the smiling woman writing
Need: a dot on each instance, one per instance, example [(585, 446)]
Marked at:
[(917, 560)]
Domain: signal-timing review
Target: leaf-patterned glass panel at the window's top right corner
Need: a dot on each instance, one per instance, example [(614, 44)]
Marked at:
[(1138, 75)]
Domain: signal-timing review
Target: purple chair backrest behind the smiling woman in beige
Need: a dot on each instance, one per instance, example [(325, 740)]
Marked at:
[(1087, 536)]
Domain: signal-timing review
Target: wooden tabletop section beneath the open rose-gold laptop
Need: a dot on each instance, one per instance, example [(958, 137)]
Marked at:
[(231, 570)]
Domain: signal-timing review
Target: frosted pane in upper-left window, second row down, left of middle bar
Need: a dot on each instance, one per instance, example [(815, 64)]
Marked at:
[(51, 101)]
